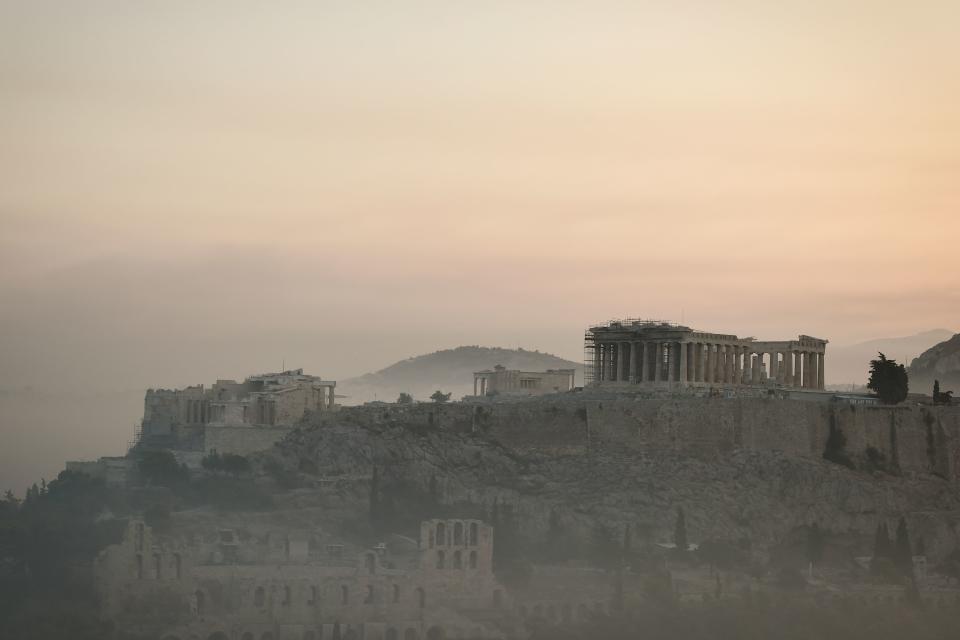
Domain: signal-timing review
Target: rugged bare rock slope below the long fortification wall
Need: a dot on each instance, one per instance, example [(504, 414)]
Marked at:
[(764, 496)]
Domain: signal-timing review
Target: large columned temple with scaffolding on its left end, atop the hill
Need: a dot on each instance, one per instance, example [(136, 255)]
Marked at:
[(660, 353)]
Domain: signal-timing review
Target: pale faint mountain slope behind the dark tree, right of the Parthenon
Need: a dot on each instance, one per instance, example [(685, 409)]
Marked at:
[(850, 364)]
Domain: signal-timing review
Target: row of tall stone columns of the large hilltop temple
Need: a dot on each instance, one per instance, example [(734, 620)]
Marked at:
[(688, 362)]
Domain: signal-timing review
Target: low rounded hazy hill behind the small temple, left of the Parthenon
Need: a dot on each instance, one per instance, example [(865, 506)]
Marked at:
[(450, 370)]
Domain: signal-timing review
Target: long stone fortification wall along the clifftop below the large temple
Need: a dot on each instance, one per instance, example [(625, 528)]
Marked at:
[(904, 439)]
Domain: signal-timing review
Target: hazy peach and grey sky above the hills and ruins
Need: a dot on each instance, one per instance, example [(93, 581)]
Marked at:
[(192, 190)]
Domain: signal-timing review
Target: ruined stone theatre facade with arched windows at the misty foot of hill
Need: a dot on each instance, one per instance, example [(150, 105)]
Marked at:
[(232, 585)]
